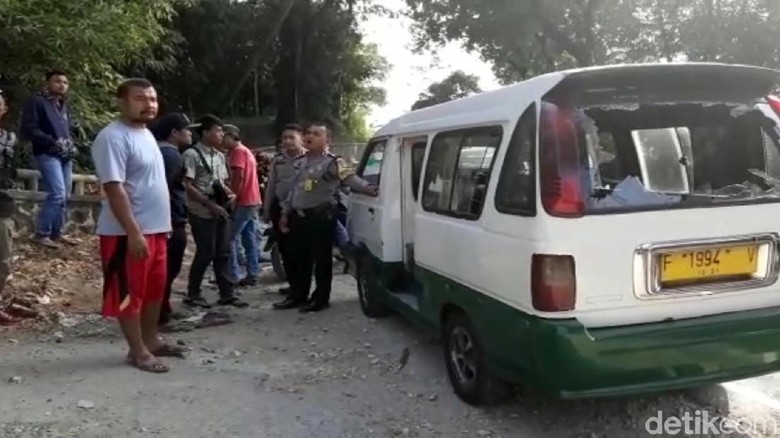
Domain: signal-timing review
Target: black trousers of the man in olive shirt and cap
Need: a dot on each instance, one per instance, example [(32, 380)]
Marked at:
[(212, 247)]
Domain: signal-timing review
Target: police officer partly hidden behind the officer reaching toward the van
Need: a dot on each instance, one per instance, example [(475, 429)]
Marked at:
[(280, 177)]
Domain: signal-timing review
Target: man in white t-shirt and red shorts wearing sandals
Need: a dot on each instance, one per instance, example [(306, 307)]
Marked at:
[(134, 224)]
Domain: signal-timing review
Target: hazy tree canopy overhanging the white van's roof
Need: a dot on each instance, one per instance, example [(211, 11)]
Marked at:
[(524, 38)]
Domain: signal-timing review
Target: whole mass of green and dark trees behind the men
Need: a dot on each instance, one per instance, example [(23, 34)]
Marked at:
[(310, 64)]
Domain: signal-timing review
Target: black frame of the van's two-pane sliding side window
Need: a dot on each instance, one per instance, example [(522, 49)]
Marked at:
[(464, 133)]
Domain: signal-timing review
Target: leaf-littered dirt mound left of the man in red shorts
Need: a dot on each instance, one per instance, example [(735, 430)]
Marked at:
[(47, 283)]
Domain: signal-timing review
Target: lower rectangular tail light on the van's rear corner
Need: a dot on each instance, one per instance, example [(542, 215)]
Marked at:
[(553, 283)]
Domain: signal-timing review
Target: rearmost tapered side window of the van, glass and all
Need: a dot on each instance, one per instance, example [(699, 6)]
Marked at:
[(516, 189)]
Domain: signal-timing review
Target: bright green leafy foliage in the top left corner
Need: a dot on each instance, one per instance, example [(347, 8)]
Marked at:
[(91, 41)]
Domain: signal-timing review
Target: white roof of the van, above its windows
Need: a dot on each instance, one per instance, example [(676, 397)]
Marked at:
[(497, 105)]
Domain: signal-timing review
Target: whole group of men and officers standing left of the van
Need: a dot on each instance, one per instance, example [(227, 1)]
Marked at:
[(156, 184)]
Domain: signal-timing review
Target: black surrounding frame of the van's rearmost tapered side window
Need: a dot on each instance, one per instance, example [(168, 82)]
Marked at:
[(530, 211)]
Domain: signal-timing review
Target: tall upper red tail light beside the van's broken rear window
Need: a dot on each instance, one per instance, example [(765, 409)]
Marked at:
[(559, 164)]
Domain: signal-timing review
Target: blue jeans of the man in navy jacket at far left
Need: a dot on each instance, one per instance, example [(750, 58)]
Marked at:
[(57, 178)]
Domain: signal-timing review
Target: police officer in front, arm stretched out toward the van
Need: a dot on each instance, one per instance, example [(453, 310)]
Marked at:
[(309, 215)]
